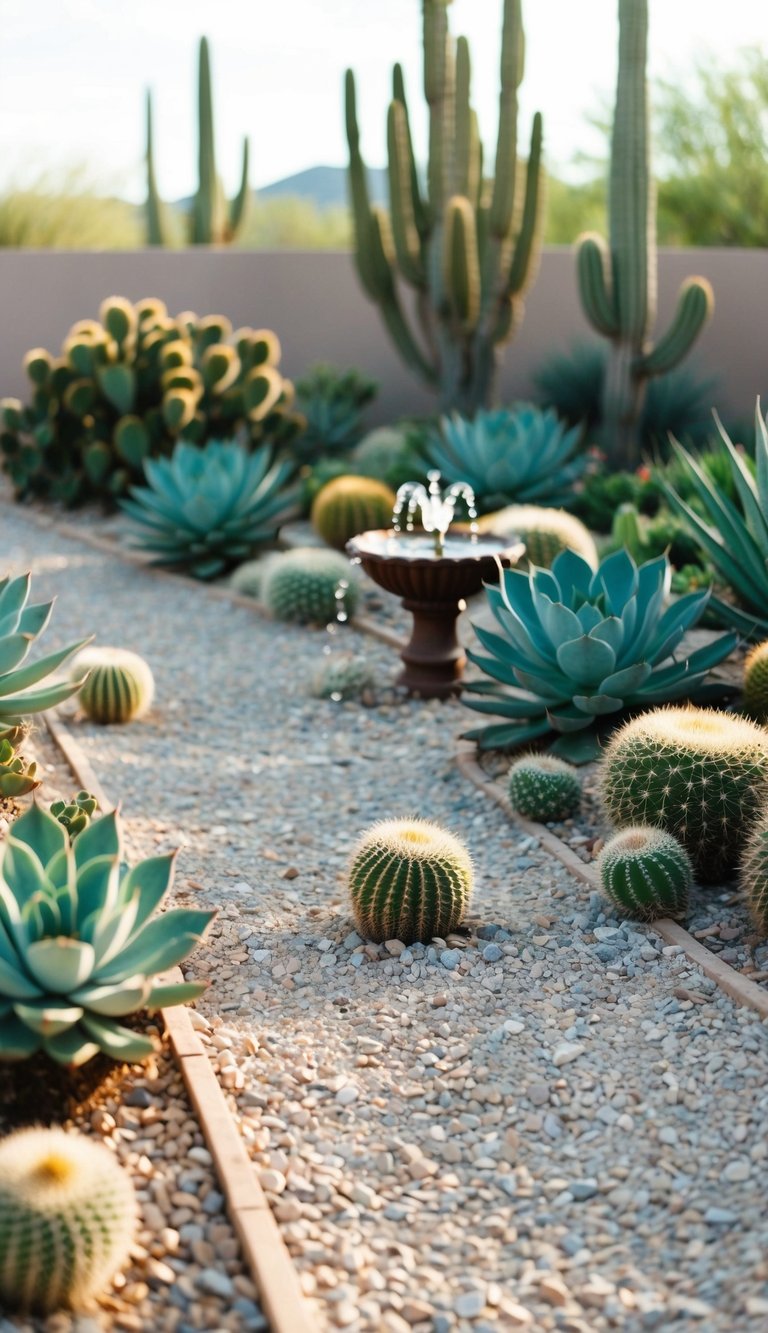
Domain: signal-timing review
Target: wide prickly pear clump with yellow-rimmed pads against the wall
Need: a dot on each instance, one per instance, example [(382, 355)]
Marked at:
[(126, 387)]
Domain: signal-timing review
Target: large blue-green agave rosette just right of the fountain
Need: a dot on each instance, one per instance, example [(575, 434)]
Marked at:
[(583, 647)]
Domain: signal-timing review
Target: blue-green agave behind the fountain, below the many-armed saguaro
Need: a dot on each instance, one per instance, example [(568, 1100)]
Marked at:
[(515, 457)]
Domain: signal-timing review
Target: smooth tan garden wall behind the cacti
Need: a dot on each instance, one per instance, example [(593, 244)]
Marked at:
[(314, 303)]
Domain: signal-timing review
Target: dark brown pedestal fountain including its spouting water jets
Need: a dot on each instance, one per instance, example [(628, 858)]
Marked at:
[(433, 573)]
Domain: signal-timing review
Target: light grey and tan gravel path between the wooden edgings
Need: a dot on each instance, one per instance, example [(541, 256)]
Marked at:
[(551, 1123)]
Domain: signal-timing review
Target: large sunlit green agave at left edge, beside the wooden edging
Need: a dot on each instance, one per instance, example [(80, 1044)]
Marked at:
[(81, 946)]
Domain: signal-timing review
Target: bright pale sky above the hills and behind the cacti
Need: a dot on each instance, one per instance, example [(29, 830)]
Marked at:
[(74, 73)]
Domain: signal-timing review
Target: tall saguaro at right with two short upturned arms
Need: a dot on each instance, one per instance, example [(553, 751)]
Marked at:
[(618, 283)]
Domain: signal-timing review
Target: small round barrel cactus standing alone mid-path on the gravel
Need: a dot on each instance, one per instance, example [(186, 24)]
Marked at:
[(410, 880)]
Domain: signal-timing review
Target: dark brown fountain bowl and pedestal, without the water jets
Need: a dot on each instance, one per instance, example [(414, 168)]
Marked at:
[(433, 589)]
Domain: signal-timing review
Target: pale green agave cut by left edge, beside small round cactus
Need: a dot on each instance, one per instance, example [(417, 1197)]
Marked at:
[(21, 626)]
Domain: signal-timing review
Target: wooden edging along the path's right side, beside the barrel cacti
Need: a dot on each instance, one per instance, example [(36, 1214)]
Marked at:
[(733, 983)]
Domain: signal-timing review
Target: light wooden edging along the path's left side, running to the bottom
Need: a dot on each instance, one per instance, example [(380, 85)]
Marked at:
[(263, 1246)]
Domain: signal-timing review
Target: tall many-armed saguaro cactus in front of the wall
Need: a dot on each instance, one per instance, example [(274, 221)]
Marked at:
[(466, 246)]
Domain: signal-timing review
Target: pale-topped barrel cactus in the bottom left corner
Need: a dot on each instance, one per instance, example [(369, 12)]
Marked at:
[(67, 1219)]
